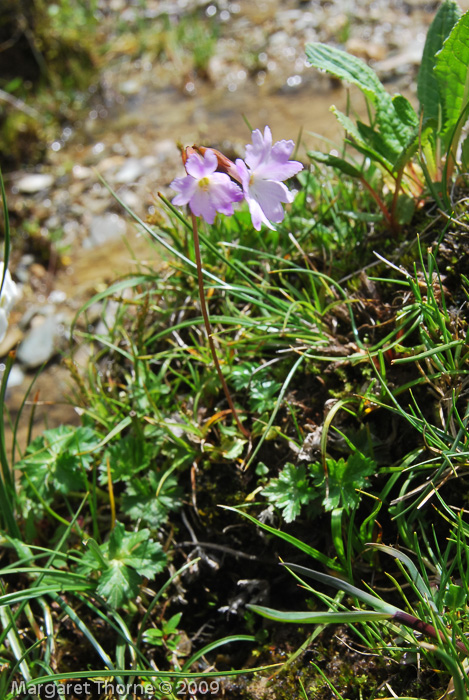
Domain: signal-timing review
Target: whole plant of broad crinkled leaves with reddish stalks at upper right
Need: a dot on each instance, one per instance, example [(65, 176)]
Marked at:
[(396, 138)]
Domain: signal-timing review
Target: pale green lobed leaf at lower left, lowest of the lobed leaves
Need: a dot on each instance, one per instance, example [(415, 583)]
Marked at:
[(122, 562)]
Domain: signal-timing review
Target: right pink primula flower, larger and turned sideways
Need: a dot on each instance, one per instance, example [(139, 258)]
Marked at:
[(262, 173)]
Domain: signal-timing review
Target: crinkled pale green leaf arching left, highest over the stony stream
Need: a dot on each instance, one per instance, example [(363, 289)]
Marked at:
[(353, 70)]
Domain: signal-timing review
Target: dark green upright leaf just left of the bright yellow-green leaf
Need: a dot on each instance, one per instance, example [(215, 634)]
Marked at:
[(428, 89)]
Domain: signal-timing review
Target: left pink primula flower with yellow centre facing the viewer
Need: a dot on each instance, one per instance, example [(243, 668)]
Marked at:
[(206, 191)]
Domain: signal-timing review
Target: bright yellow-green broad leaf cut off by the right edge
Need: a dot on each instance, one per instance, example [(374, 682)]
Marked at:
[(452, 72)]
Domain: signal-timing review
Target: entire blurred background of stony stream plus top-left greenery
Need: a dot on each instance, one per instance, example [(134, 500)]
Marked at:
[(110, 87)]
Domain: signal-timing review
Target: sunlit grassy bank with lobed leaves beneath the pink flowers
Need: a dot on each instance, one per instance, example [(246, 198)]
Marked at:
[(346, 357)]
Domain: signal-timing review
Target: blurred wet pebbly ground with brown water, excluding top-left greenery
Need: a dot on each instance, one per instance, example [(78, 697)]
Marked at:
[(75, 237)]
